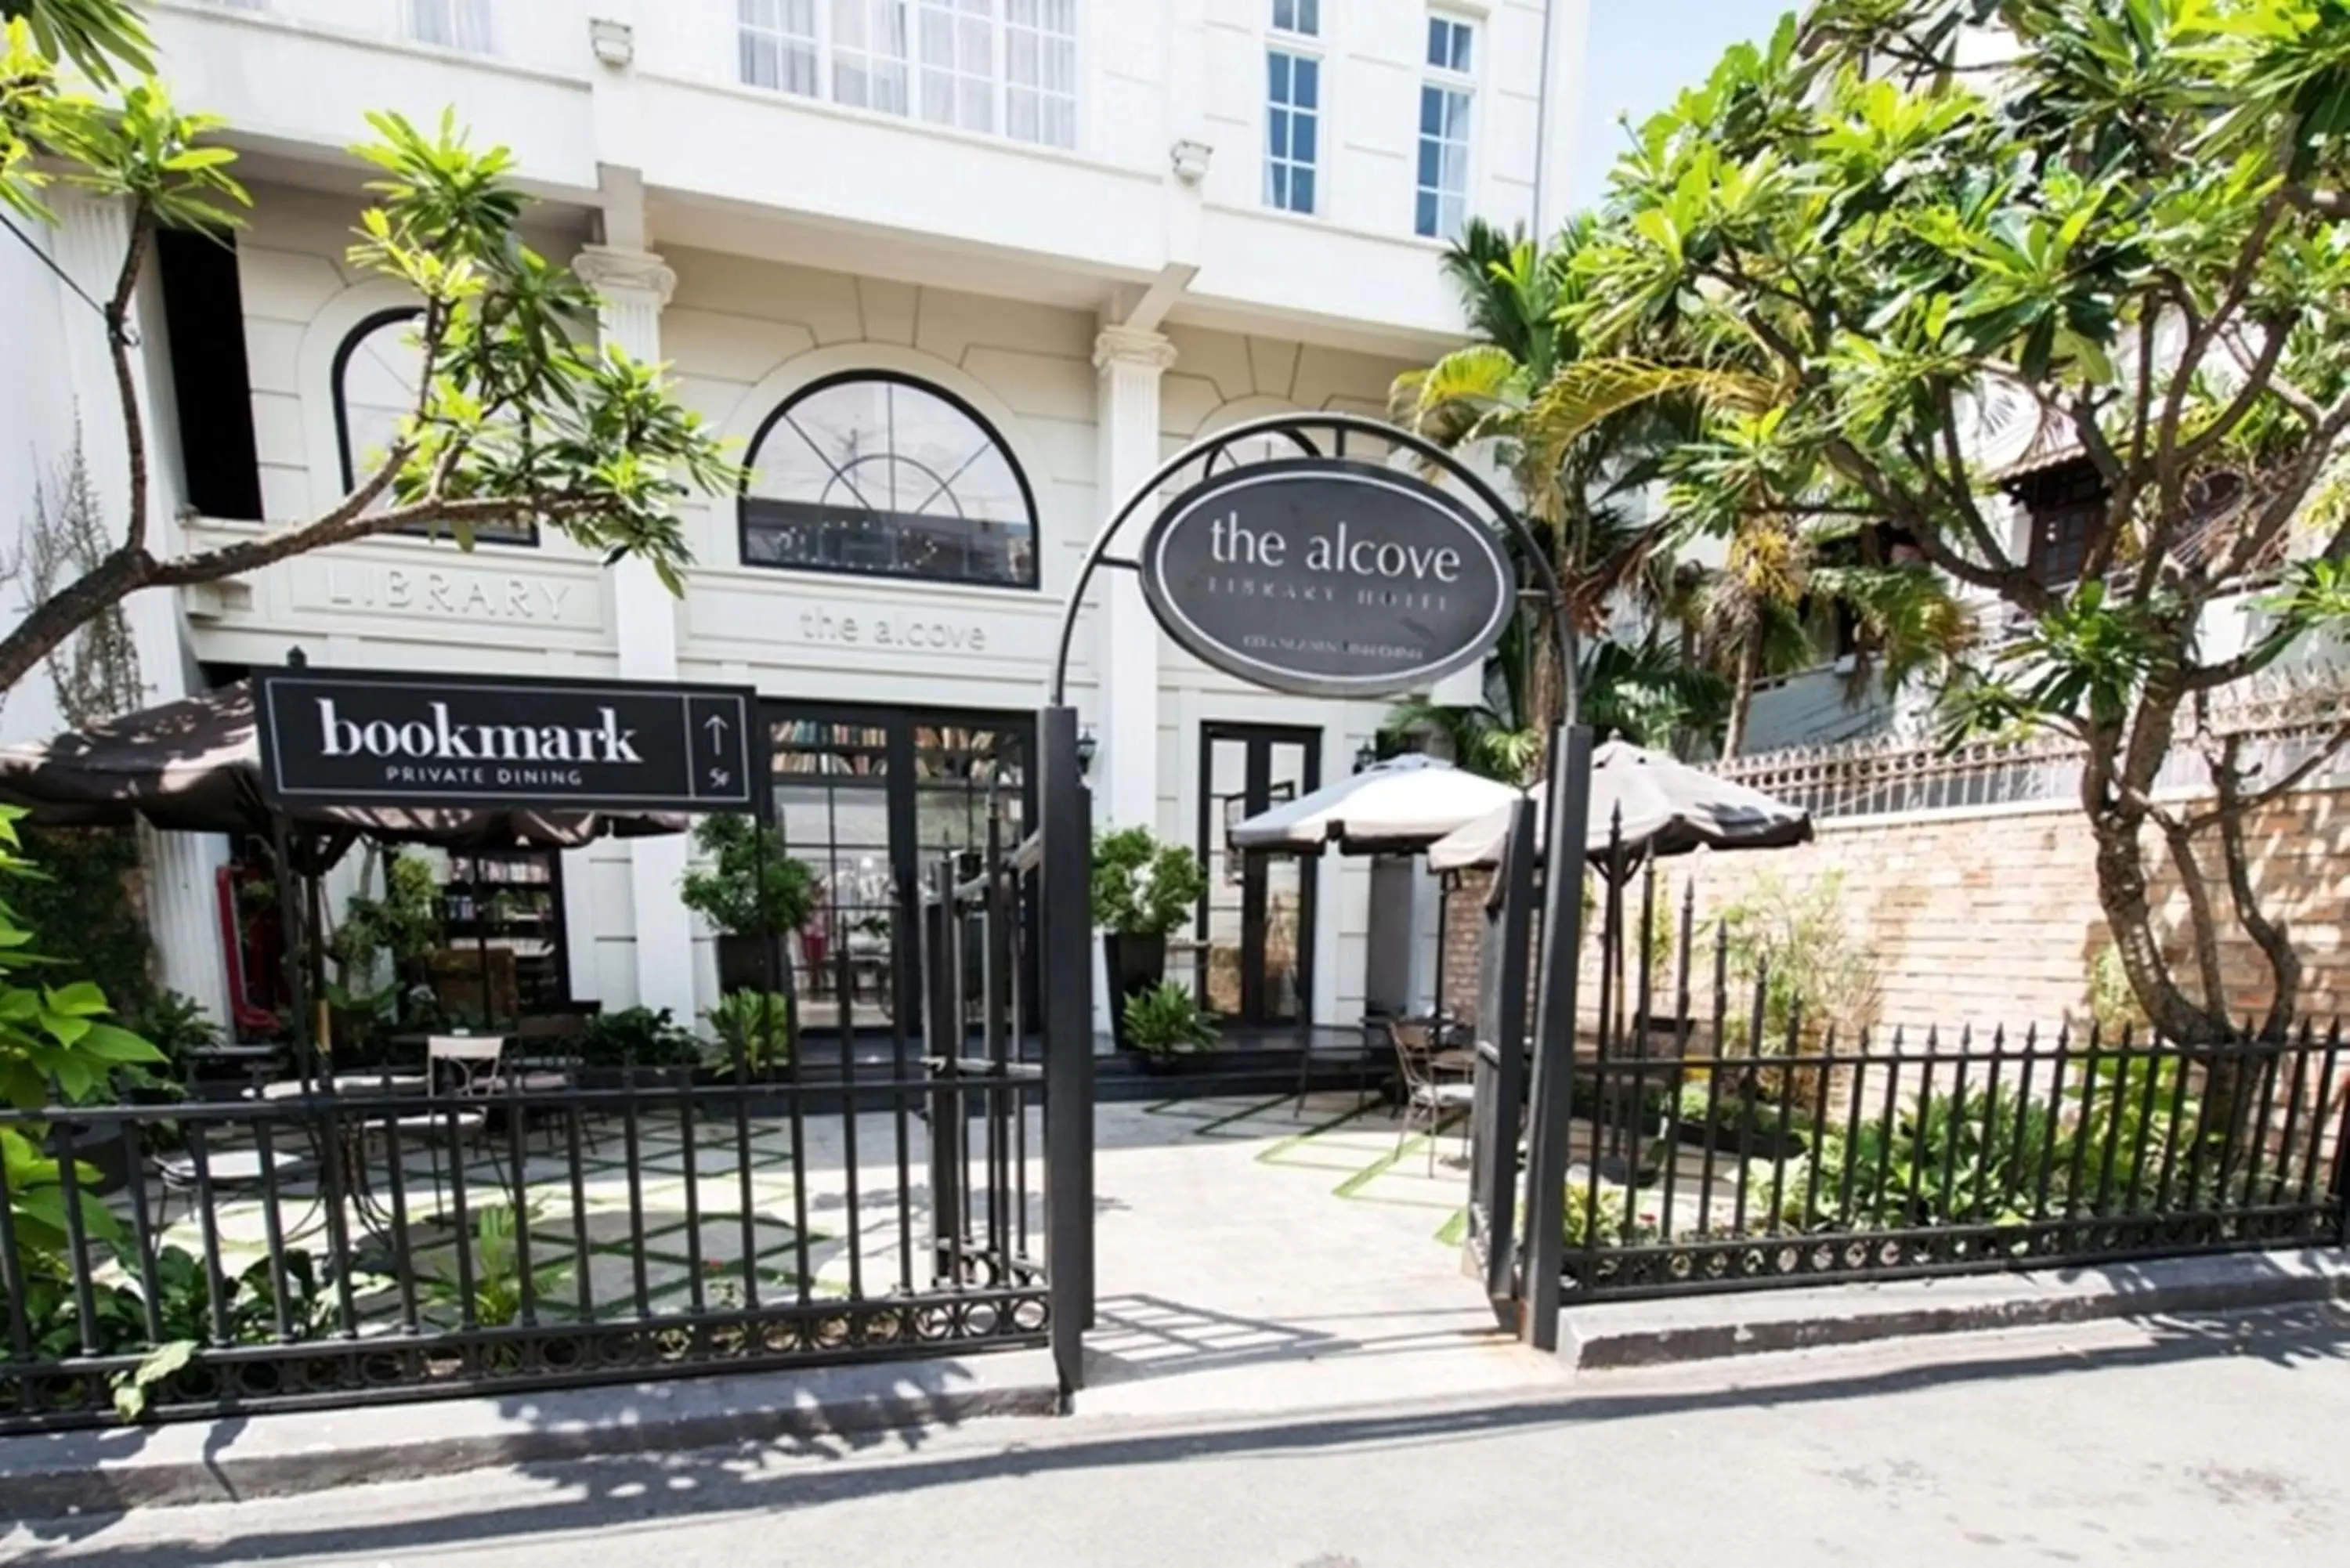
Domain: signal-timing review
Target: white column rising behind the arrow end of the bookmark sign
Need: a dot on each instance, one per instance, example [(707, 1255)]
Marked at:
[(633, 288)]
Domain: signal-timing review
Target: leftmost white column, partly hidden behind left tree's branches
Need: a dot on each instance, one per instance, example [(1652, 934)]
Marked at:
[(182, 911)]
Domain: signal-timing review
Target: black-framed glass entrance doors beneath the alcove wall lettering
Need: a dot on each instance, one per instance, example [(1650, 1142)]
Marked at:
[(871, 798)]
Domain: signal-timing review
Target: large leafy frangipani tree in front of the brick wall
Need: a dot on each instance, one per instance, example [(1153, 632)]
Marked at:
[(2133, 217)]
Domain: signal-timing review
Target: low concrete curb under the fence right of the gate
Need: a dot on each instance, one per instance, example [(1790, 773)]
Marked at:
[(1618, 1336)]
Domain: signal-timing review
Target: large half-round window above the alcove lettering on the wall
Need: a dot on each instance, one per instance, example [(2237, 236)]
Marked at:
[(882, 476)]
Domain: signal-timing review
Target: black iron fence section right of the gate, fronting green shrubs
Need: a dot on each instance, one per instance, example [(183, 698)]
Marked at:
[(1743, 1144)]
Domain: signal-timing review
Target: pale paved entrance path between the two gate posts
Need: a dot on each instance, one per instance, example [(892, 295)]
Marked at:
[(1273, 1257)]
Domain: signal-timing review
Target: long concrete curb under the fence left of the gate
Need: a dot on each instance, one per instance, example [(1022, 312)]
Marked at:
[(278, 1456)]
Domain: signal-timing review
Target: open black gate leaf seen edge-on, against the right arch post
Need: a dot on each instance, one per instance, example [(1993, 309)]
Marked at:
[(1500, 1061)]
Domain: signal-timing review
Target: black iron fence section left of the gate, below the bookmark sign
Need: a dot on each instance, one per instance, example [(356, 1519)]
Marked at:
[(394, 1238)]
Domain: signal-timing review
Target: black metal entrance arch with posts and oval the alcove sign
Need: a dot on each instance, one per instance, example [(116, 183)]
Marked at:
[(1526, 1282)]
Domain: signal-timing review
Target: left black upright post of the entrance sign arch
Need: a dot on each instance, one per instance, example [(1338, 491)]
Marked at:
[(1066, 967)]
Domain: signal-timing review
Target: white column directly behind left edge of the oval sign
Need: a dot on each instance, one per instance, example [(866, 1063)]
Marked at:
[(1127, 777)]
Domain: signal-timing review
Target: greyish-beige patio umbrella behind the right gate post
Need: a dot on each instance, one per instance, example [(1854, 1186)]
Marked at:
[(1667, 808)]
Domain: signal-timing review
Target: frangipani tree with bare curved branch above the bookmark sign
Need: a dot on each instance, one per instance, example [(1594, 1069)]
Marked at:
[(521, 417)]
